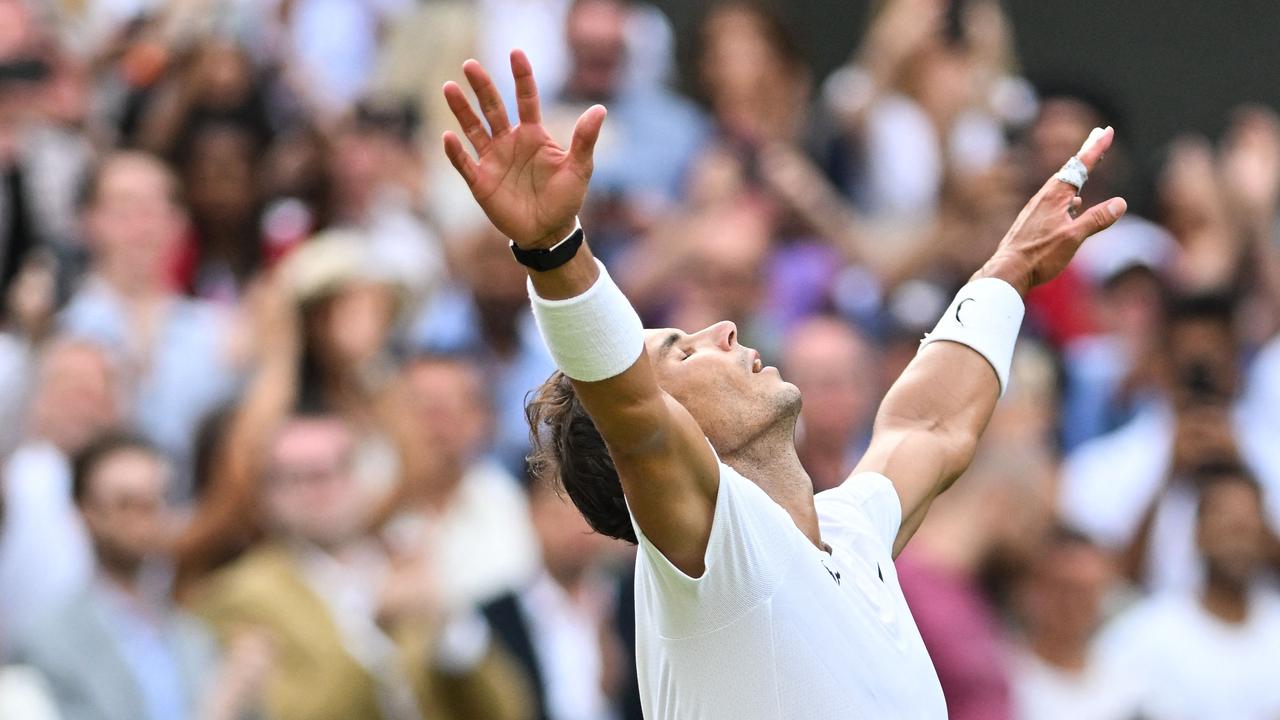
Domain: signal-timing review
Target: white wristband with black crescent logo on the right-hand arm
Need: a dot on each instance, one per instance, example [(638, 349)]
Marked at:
[(986, 316)]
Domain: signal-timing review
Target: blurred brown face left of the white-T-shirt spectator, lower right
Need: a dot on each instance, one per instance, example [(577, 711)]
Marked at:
[(1063, 599)]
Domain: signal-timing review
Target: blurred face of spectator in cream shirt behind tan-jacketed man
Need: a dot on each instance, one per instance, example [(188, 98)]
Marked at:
[(451, 407)]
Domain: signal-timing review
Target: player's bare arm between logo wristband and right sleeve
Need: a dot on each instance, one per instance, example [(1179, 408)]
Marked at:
[(929, 426)]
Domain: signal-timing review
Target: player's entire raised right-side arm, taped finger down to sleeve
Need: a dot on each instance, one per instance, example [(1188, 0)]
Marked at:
[(929, 426)]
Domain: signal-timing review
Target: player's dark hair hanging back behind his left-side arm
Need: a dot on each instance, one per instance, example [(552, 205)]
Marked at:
[(569, 450)]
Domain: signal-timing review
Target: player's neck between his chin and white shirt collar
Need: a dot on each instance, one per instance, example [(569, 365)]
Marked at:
[(772, 462)]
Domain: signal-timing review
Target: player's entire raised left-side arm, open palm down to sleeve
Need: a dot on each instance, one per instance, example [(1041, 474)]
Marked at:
[(532, 190)]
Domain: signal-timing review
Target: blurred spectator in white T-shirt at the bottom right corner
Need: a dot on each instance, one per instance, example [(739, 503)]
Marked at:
[(1210, 655)]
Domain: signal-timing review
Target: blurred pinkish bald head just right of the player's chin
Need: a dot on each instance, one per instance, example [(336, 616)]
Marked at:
[(835, 372)]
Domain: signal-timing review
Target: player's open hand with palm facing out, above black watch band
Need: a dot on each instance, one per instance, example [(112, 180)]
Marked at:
[(529, 186)]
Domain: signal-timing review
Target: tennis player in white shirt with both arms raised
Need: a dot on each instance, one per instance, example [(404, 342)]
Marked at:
[(755, 599)]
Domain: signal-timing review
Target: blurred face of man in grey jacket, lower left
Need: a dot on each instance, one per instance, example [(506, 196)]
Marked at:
[(125, 508)]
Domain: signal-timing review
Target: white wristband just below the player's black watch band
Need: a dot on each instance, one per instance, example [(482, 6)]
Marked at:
[(593, 336)]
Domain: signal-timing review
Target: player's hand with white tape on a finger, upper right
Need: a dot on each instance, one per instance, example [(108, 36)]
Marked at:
[(1048, 233)]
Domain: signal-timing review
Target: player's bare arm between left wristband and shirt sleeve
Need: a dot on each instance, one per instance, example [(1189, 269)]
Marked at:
[(669, 471)]
